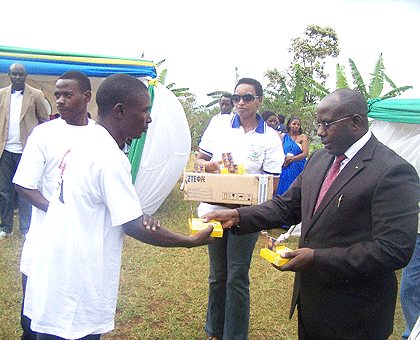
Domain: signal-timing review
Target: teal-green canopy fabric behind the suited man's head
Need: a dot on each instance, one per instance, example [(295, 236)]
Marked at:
[(395, 110)]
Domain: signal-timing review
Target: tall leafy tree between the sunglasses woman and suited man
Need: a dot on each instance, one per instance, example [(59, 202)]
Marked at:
[(294, 92)]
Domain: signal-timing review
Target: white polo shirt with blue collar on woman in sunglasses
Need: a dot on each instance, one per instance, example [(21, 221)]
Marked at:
[(260, 150)]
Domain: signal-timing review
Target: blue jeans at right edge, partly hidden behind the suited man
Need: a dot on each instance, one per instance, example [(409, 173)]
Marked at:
[(410, 290)]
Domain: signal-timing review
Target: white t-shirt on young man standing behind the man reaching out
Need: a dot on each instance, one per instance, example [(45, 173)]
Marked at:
[(38, 167)]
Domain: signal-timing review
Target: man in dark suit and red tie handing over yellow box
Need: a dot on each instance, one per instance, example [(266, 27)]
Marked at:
[(355, 237)]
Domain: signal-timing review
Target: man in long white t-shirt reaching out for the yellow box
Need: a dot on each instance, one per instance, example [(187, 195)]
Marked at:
[(73, 277)]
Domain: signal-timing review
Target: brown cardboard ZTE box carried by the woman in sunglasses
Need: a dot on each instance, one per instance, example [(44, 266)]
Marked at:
[(228, 189)]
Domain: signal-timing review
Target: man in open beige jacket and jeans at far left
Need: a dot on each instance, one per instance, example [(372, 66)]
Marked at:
[(22, 107)]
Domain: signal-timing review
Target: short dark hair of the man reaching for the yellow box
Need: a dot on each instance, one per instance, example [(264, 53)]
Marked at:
[(118, 88)]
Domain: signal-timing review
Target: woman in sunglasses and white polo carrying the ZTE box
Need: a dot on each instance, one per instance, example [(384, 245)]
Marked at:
[(251, 142)]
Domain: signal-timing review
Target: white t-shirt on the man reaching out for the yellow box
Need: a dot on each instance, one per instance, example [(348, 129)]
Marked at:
[(74, 274)]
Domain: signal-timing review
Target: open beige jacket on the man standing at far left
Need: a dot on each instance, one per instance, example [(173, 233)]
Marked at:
[(34, 111)]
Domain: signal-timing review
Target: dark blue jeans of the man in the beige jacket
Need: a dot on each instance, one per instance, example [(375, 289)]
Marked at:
[(8, 165)]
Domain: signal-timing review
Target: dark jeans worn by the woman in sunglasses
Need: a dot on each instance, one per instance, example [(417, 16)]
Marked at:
[(228, 305)]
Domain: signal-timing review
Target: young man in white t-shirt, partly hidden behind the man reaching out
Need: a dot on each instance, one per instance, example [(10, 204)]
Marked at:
[(44, 149)]
